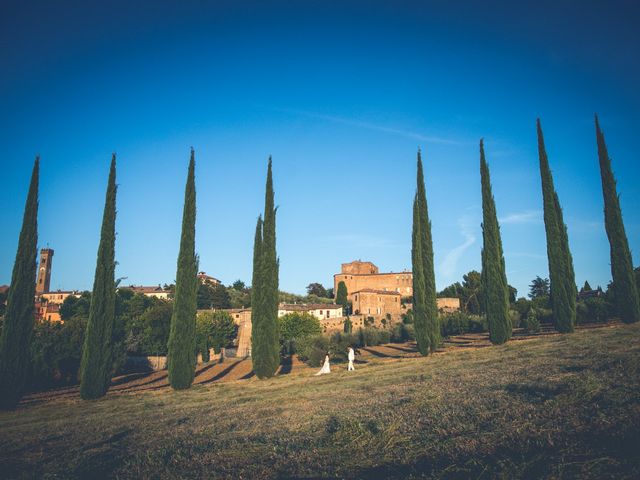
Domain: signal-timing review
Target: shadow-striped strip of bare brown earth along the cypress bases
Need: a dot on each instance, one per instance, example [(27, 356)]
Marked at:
[(233, 369)]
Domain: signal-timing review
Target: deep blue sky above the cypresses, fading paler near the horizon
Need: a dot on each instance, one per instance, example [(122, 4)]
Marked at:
[(342, 94)]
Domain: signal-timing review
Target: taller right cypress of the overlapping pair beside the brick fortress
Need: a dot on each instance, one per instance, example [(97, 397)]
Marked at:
[(426, 245)]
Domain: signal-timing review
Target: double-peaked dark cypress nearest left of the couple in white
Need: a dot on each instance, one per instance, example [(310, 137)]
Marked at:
[(265, 337)]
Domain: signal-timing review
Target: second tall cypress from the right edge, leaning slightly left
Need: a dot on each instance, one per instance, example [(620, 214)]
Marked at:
[(561, 274)]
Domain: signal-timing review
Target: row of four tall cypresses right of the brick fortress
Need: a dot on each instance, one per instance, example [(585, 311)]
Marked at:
[(494, 280)]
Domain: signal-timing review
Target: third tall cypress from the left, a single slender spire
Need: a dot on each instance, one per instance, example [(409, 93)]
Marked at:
[(182, 335)]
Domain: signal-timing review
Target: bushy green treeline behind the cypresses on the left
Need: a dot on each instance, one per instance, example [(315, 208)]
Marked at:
[(141, 328)]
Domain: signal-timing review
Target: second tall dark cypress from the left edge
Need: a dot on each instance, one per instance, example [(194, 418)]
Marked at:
[(96, 363)]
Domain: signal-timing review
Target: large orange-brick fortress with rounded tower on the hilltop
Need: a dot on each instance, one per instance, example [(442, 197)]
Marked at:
[(359, 275)]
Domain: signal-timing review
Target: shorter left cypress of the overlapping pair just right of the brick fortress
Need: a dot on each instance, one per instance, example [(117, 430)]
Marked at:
[(419, 297)]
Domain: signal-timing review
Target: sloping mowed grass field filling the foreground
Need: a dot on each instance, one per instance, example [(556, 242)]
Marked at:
[(561, 406)]
